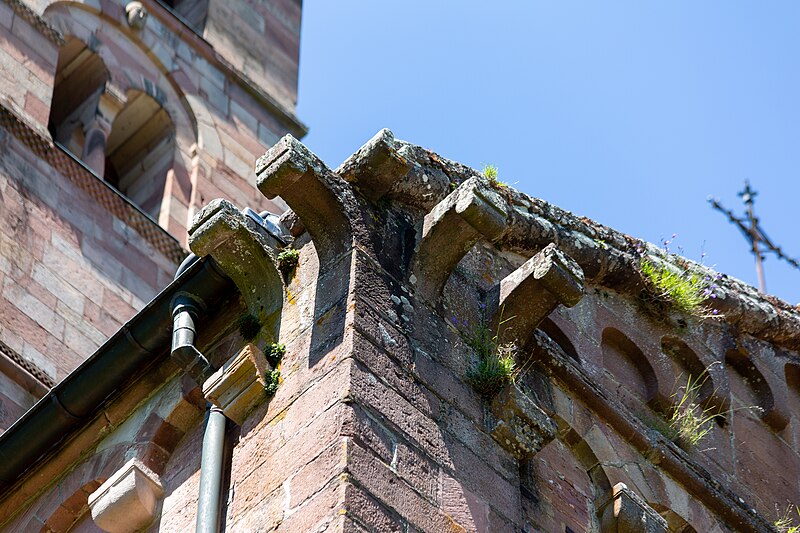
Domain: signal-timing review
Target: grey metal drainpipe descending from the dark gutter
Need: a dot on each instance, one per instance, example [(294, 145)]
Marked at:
[(209, 502)]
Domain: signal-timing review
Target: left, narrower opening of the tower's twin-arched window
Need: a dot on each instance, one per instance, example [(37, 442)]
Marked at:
[(80, 80)]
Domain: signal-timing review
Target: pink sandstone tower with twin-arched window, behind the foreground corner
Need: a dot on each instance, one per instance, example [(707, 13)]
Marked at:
[(81, 251)]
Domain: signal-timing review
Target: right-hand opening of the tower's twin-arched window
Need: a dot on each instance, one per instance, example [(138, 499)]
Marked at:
[(140, 151)]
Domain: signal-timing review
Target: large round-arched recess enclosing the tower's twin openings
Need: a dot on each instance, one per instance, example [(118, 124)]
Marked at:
[(136, 79)]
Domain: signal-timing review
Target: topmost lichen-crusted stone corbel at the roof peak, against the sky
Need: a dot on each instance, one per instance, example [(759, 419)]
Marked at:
[(376, 166)]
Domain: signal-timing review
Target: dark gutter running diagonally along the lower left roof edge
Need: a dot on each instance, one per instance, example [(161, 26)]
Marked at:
[(140, 344)]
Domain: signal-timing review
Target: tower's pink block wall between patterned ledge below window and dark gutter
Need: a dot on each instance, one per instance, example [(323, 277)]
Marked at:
[(71, 273)]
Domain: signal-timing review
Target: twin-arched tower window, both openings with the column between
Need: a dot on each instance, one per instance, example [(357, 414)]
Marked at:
[(129, 140)]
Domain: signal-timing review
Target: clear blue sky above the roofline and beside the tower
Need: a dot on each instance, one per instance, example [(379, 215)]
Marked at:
[(630, 113)]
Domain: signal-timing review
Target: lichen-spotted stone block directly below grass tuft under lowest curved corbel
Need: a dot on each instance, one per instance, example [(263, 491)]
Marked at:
[(520, 426)]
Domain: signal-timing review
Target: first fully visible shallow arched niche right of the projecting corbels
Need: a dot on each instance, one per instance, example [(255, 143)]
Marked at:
[(632, 374)]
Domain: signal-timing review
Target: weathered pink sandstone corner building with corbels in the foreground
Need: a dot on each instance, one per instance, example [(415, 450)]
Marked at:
[(375, 427)]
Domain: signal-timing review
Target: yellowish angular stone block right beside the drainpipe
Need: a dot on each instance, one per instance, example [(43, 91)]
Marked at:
[(239, 385)]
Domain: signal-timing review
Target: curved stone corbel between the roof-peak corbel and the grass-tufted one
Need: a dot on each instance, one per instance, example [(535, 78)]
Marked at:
[(471, 212)]
